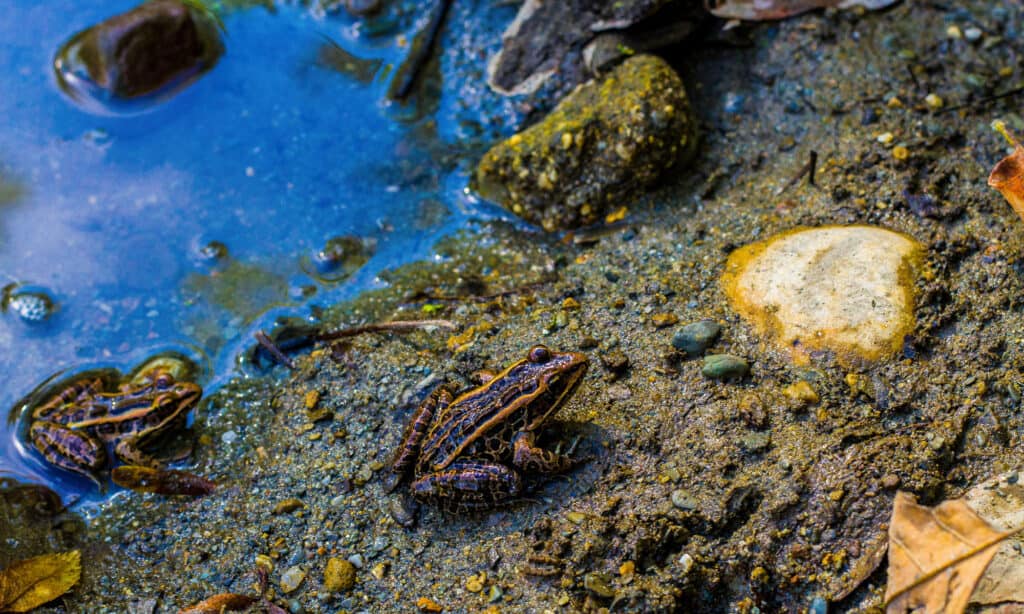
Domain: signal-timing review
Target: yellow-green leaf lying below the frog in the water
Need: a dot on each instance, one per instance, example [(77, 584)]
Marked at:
[(30, 584)]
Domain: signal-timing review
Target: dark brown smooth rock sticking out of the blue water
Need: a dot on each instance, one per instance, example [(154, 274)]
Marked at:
[(156, 50)]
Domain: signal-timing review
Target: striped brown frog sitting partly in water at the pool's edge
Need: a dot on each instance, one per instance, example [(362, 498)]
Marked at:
[(73, 429)]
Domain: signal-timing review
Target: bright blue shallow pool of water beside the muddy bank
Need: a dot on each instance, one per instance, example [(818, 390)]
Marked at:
[(272, 153)]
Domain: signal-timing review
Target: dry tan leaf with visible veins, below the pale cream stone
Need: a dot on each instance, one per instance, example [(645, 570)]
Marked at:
[(936, 556)]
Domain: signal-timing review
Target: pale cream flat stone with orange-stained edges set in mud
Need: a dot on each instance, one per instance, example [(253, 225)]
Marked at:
[(844, 289)]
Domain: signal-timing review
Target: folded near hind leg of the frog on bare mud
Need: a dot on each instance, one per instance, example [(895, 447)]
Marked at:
[(468, 486)]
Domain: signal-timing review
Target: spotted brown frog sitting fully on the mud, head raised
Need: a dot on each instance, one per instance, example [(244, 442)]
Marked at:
[(471, 452)]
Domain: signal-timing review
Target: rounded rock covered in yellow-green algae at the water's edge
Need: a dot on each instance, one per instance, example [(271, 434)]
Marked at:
[(603, 145)]
